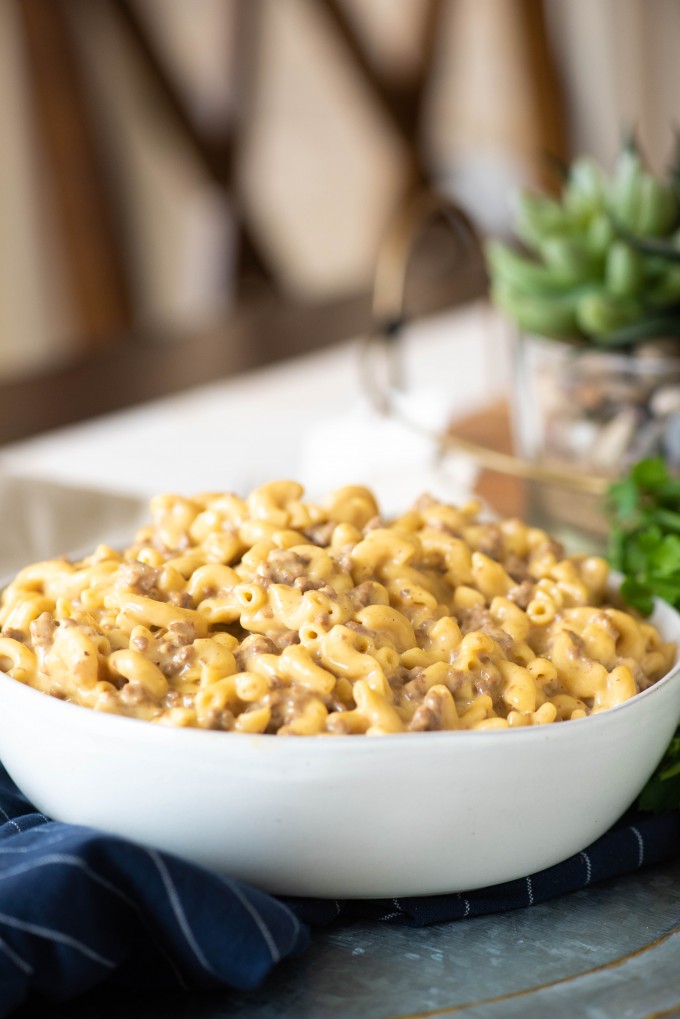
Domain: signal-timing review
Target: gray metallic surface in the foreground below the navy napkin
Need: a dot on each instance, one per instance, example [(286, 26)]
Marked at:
[(609, 952)]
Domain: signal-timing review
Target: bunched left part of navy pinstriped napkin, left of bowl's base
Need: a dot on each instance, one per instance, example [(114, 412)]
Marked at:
[(79, 907)]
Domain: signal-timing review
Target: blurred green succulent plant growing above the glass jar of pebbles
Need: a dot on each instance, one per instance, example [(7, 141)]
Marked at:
[(602, 262)]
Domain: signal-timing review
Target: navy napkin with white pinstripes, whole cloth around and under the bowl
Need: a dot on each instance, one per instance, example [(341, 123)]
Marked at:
[(79, 907)]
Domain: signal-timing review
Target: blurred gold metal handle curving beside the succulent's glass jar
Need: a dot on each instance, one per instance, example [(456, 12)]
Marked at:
[(383, 382)]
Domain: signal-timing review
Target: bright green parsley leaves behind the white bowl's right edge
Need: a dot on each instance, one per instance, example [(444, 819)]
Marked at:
[(645, 547)]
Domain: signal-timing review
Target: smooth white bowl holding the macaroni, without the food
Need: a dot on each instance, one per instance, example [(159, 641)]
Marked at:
[(416, 814)]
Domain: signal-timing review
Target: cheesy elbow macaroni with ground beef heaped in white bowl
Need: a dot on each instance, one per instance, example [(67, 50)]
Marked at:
[(273, 615)]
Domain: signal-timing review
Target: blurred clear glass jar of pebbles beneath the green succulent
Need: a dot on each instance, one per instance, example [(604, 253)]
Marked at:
[(579, 408)]
